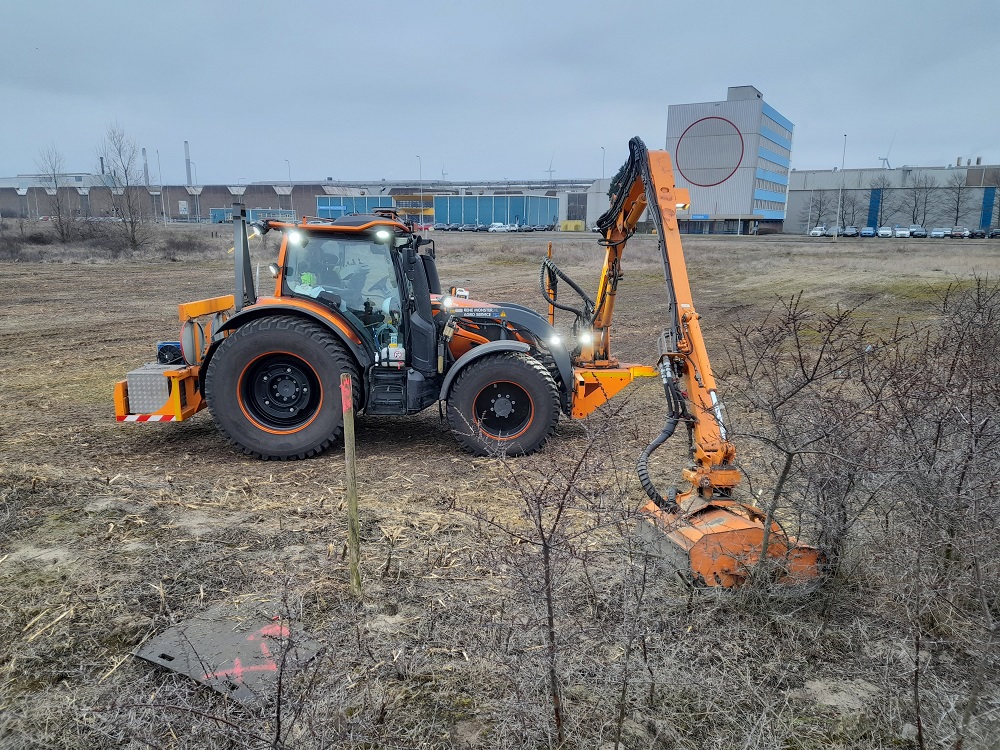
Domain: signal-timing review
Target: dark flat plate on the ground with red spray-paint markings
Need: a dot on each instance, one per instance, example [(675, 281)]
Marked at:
[(236, 654)]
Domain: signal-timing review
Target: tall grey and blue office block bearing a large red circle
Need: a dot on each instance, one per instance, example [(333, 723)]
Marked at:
[(734, 157)]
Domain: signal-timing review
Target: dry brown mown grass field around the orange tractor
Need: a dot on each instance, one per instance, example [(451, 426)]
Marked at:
[(111, 533)]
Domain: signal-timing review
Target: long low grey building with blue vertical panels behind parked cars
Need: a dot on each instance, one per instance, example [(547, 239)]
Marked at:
[(946, 196)]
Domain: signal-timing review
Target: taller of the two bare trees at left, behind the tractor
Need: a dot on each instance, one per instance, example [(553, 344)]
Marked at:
[(127, 201)]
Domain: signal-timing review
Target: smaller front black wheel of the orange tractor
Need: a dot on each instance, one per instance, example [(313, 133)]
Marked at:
[(503, 404)]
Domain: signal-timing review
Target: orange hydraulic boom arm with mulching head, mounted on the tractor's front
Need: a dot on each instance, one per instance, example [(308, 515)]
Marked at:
[(702, 529)]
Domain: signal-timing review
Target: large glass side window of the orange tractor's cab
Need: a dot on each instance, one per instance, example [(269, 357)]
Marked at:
[(355, 276)]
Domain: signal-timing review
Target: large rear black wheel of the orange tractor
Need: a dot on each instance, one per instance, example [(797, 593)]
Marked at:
[(273, 387)]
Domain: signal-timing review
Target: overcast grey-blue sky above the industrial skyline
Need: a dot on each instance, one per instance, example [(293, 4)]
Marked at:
[(485, 90)]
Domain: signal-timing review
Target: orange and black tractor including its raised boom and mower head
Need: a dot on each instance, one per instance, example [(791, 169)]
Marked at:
[(361, 295)]
